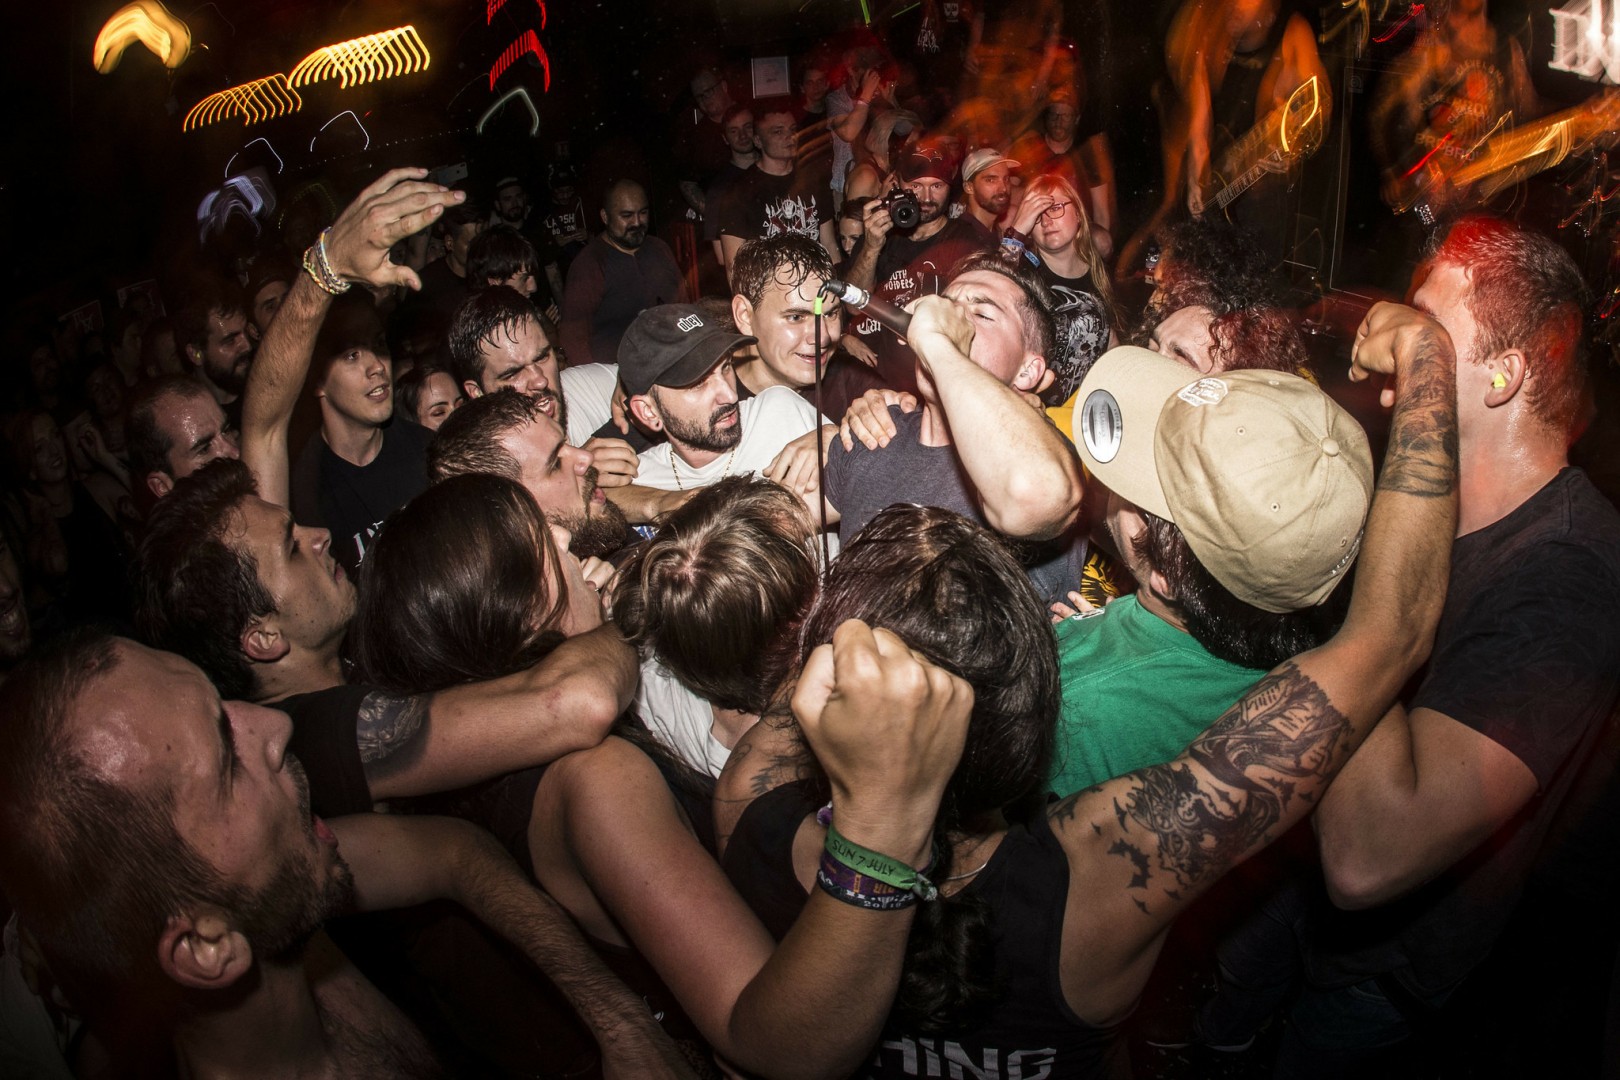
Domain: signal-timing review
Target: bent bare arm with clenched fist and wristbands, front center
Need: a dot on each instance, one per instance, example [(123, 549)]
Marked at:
[(889, 728)]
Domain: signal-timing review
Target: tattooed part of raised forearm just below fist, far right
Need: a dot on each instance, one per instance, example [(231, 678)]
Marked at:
[(1422, 459)]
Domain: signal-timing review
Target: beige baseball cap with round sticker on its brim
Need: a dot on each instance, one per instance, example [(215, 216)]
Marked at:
[(1264, 474)]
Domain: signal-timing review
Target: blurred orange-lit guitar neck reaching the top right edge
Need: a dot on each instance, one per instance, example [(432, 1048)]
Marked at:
[(1507, 158)]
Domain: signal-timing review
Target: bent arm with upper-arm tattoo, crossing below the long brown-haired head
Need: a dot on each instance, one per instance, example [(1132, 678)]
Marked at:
[(424, 744)]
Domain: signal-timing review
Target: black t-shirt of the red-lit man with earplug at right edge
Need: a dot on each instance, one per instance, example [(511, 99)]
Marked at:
[(1528, 655)]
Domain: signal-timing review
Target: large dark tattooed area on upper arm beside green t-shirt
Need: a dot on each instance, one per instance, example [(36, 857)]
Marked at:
[(1260, 767)]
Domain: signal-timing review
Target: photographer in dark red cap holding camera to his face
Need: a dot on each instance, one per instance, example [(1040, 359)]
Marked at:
[(900, 263)]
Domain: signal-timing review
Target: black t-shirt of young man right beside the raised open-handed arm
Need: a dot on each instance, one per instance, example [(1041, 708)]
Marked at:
[(352, 501)]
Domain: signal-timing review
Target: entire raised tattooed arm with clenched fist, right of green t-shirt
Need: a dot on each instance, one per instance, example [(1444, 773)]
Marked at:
[(1141, 848)]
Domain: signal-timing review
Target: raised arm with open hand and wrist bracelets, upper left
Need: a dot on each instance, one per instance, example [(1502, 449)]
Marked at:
[(357, 250)]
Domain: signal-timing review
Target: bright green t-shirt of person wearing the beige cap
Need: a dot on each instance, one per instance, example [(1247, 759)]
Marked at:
[(1135, 694)]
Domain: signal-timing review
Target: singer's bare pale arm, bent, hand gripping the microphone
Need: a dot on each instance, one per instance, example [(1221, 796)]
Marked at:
[(1025, 470)]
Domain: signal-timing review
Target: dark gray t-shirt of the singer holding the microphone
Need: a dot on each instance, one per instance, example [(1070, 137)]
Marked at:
[(861, 483)]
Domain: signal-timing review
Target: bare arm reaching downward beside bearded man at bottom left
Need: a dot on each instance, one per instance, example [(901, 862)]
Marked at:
[(401, 861)]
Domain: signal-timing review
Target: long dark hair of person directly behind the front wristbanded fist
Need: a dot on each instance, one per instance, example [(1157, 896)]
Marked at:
[(958, 597)]
